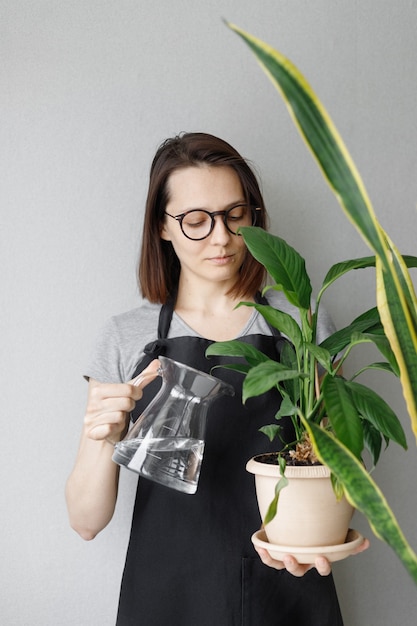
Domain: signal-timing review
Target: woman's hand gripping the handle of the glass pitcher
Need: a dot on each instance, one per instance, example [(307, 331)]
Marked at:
[(109, 405)]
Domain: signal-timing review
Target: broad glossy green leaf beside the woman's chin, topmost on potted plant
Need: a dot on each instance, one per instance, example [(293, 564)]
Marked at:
[(284, 264)]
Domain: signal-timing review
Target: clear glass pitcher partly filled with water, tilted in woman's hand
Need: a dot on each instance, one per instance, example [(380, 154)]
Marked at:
[(166, 443)]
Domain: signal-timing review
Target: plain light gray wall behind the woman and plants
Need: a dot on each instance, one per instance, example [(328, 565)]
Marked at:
[(89, 88)]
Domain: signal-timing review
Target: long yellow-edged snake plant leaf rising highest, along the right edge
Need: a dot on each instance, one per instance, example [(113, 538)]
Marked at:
[(397, 300)]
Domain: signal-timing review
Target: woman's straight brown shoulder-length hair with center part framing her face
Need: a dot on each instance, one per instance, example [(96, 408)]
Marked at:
[(159, 266)]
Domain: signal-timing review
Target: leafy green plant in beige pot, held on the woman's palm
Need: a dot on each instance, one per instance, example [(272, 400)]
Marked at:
[(315, 394)]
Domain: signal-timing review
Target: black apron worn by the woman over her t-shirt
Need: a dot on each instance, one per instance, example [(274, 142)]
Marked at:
[(190, 560)]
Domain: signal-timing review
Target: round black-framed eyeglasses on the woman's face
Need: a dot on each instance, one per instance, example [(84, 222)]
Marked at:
[(198, 224)]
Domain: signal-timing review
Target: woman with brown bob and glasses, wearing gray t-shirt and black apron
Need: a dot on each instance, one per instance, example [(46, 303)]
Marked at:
[(190, 559)]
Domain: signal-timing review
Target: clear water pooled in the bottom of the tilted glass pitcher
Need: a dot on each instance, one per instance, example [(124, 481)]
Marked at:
[(172, 461)]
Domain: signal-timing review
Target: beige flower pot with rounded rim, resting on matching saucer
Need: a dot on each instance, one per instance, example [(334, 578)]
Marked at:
[(308, 512)]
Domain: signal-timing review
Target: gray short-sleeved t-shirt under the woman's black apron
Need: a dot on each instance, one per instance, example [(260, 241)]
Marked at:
[(119, 346)]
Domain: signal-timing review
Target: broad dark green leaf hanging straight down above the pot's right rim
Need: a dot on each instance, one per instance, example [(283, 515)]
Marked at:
[(342, 414)]
